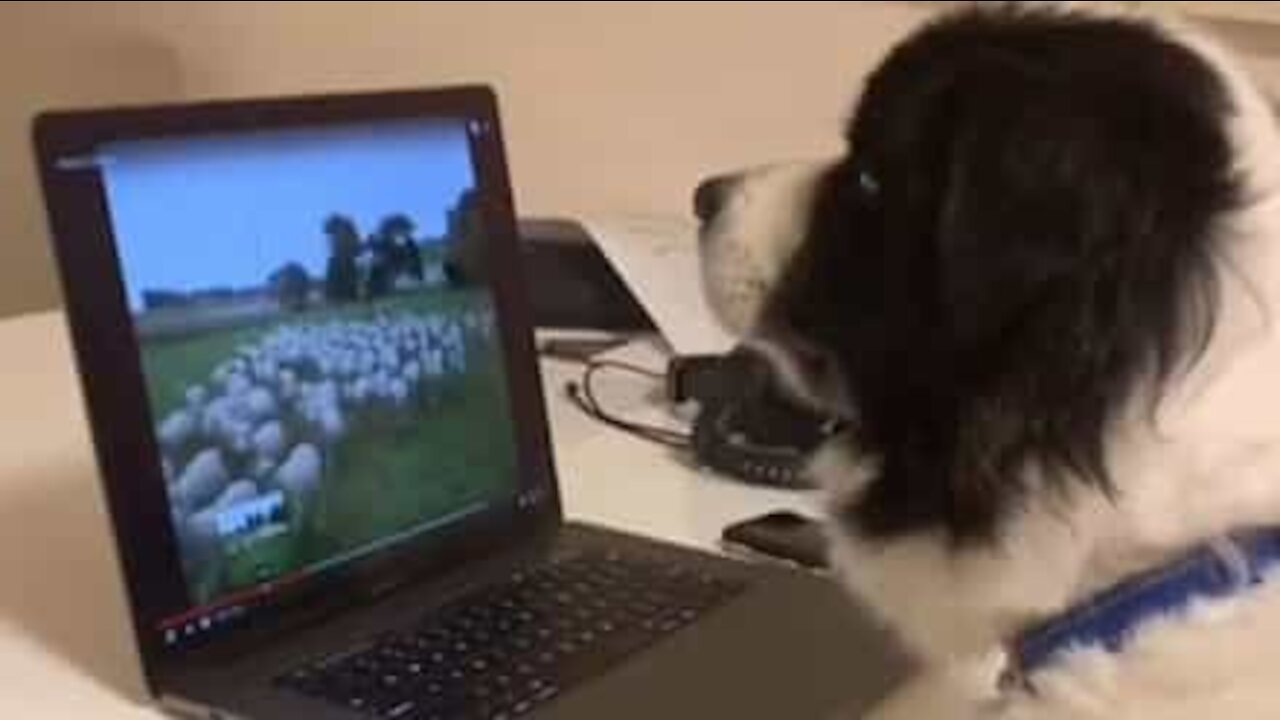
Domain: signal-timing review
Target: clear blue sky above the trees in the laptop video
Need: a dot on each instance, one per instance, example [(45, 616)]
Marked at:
[(217, 212)]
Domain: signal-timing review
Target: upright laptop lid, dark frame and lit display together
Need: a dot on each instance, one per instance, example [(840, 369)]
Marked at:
[(304, 348)]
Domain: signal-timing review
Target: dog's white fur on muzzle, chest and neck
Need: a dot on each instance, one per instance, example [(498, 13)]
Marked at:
[(1209, 462)]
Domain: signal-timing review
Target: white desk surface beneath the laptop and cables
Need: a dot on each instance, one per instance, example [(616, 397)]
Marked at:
[(66, 649)]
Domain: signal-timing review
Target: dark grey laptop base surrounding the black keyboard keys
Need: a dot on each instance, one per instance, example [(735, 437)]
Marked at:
[(790, 645)]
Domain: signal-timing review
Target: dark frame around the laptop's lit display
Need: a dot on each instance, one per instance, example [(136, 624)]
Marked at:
[(112, 380)]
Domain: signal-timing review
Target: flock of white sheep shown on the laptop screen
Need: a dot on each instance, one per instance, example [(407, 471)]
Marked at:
[(268, 418)]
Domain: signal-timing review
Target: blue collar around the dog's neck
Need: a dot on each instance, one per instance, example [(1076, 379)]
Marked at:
[(1214, 571)]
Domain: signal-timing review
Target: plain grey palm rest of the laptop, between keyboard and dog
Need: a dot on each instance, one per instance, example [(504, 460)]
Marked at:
[(794, 648)]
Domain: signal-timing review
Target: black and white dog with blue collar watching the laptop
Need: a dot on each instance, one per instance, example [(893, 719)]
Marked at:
[(1043, 286)]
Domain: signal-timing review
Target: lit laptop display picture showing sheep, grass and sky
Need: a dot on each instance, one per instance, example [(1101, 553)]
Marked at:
[(319, 353)]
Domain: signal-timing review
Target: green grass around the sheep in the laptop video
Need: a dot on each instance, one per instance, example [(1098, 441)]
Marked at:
[(390, 473)]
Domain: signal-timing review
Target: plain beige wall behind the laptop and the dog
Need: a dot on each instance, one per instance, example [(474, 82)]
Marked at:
[(607, 106)]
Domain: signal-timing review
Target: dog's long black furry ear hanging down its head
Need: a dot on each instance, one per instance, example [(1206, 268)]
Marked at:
[(1073, 249)]
